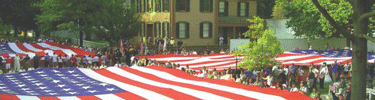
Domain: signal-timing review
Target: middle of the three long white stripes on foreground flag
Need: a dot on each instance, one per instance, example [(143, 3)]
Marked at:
[(188, 91)]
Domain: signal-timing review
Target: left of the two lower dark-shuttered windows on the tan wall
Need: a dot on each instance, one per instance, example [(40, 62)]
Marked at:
[(182, 30)]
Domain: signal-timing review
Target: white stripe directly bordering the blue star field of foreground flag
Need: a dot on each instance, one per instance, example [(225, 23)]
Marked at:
[(133, 89)]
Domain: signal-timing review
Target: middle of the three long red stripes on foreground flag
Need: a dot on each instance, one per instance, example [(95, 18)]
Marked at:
[(199, 88)]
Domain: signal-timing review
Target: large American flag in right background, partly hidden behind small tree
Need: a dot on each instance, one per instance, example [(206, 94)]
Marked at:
[(224, 61)]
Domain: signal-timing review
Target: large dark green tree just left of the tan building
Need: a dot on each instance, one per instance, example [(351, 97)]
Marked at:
[(100, 17)]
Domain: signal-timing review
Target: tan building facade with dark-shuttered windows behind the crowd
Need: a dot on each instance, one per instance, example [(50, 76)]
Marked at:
[(195, 22)]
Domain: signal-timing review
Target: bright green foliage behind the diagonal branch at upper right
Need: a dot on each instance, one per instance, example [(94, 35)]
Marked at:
[(307, 22)]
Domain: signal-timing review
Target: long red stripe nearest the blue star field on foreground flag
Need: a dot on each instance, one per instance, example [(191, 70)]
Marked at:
[(164, 91)]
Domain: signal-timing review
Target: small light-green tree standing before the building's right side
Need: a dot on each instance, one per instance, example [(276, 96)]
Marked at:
[(261, 51)]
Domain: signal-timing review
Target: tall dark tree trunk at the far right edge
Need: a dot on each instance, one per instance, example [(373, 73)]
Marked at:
[(359, 54)]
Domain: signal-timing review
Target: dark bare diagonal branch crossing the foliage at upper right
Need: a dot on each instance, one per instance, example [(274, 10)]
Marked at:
[(339, 29)]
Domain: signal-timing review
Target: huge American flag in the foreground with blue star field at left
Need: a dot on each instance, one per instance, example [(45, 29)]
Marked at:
[(135, 83)]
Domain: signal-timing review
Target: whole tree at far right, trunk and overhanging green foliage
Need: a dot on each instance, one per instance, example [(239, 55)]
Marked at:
[(347, 18)]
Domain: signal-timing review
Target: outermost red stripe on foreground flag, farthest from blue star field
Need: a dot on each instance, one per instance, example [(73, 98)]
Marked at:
[(286, 95)]
